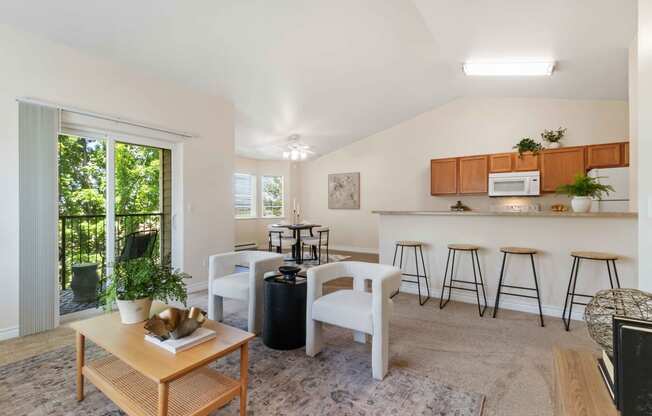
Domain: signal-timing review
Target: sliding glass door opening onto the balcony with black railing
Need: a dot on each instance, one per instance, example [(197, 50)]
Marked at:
[(115, 204)]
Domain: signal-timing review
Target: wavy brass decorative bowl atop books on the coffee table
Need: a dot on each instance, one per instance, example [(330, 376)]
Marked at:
[(175, 323)]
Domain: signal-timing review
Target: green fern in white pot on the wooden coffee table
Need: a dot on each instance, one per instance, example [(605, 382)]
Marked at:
[(135, 283)]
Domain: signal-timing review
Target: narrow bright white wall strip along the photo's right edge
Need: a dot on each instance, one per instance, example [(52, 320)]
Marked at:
[(644, 109)]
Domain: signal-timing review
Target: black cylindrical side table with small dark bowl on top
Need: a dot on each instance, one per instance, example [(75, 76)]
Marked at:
[(284, 318)]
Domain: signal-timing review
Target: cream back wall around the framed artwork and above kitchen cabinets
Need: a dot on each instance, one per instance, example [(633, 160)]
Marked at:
[(395, 164)]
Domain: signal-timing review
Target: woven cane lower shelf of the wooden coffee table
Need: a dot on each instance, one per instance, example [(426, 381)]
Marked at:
[(197, 393)]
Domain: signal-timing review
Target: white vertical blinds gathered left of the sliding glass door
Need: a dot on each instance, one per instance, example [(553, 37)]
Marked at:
[(38, 241)]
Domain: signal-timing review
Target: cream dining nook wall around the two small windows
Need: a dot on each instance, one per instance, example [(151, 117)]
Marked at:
[(255, 229)]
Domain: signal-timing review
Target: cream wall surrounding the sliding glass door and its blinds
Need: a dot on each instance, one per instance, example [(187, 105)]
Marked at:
[(32, 67)]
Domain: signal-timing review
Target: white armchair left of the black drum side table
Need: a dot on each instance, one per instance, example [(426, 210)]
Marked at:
[(224, 282)]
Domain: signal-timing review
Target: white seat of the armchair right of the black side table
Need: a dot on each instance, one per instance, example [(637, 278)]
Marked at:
[(347, 309)]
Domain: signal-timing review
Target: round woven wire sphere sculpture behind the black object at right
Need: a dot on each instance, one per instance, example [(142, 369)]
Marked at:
[(632, 303)]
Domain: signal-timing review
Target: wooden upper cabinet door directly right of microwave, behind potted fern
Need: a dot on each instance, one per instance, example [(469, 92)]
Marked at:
[(559, 167)]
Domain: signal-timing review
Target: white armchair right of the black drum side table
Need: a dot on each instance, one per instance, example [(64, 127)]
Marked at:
[(357, 309)]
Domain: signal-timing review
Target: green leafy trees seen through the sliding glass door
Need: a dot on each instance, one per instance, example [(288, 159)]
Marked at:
[(82, 192)]
